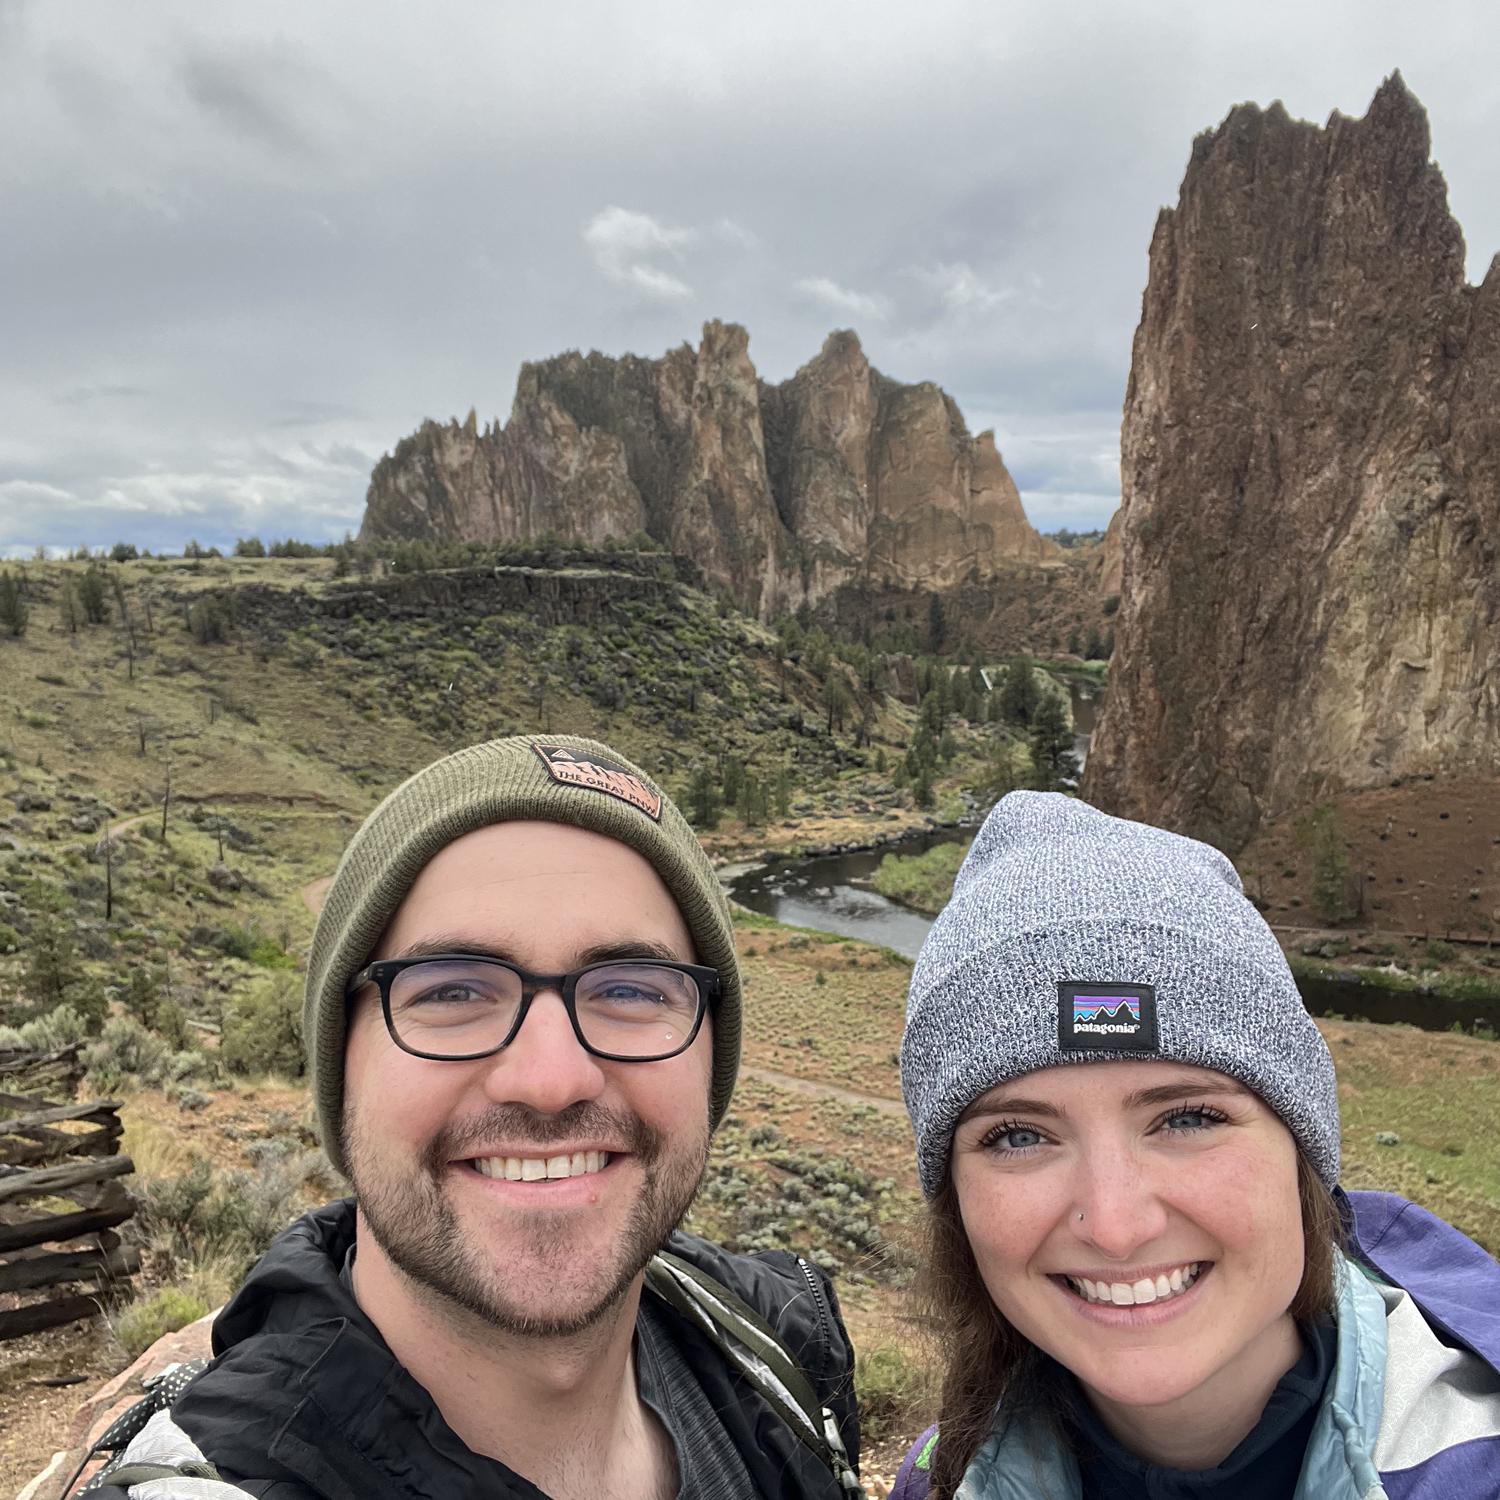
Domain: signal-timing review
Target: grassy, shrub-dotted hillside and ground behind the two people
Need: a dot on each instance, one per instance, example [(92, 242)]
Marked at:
[(268, 704)]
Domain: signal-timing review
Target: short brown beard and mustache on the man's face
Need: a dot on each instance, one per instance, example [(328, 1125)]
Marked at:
[(415, 1223)]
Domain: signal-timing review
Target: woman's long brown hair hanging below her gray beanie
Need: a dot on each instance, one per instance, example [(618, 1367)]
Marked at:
[(988, 1363)]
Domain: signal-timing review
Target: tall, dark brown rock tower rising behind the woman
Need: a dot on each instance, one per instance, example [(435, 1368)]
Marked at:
[(1312, 482)]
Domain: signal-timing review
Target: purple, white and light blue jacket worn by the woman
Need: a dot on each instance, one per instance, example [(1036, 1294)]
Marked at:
[(1412, 1411)]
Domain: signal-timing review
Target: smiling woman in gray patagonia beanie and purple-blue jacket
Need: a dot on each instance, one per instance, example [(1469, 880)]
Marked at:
[(1127, 1130)]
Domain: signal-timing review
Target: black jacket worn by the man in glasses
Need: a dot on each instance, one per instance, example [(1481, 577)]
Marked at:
[(304, 1400)]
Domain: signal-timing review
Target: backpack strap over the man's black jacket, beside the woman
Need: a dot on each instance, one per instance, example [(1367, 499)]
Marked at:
[(761, 1358)]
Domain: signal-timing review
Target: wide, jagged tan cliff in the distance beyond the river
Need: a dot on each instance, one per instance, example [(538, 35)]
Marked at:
[(779, 494)]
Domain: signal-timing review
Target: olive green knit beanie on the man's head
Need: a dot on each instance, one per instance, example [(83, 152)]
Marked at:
[(547, 778)]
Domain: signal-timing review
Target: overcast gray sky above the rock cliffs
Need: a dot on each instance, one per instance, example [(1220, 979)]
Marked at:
[(245, 250)]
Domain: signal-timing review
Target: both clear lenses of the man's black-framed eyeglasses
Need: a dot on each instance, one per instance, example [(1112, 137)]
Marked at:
[(454, 1009)]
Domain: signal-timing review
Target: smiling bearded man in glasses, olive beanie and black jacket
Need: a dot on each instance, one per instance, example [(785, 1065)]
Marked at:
[(523, 1019)]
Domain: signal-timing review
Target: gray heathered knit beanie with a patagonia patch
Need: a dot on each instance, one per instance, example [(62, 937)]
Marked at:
[(1075, 937)]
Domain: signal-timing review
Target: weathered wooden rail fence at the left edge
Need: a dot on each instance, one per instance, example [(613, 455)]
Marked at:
[(61, 1196)]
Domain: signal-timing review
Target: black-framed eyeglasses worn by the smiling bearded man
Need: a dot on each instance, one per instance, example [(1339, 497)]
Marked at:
[(454, 1007)]
